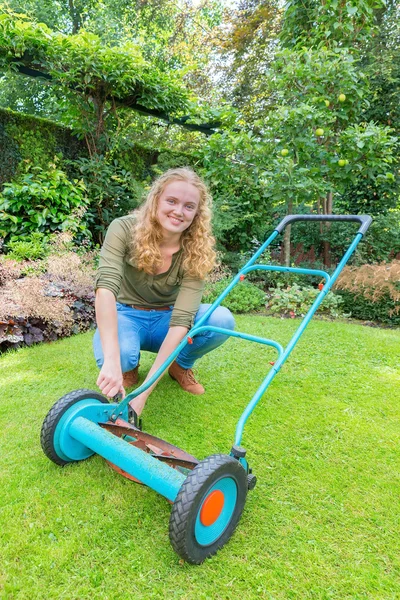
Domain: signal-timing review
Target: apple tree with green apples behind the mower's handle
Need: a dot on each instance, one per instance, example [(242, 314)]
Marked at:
[(314, 101)]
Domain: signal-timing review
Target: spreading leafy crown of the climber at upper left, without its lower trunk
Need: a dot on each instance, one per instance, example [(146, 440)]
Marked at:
[(92, 76)]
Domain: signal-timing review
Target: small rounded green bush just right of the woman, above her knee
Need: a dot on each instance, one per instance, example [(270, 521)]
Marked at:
[(244, 297)]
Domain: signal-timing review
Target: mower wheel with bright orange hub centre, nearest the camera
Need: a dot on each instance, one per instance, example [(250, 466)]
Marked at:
[(208, 507)]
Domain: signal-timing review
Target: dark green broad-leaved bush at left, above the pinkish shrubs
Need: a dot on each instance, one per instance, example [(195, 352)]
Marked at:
[(43, 201)]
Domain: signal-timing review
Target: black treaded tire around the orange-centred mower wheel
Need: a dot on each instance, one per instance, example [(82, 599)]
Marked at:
[(188, 502)]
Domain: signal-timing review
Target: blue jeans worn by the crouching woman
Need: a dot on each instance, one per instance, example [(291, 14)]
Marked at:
[(146, 330)]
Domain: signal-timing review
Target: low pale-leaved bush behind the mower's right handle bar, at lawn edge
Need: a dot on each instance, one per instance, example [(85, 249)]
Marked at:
[(294, 301)]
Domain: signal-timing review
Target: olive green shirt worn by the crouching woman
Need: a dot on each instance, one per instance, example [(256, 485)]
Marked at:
[(117, 273)]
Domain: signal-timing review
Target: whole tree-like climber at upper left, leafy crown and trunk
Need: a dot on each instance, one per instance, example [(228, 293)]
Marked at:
[(95, 82)]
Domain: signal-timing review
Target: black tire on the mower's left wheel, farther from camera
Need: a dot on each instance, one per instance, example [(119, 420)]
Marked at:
[(53, 417)]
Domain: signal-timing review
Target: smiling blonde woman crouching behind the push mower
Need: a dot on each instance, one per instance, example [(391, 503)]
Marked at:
[(149, 286)]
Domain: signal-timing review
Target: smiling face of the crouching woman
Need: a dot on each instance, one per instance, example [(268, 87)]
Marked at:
[(177, 207)]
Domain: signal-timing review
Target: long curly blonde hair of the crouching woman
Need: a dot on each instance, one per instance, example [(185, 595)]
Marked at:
[(197, 240)]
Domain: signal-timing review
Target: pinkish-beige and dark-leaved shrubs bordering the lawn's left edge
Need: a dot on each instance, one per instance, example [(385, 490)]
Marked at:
[(46, 299)]
